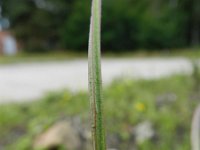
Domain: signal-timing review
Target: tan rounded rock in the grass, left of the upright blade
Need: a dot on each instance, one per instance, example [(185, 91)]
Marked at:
[(61, 134)]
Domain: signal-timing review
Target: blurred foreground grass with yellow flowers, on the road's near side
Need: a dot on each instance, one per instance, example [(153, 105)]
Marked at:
[(167, 103)]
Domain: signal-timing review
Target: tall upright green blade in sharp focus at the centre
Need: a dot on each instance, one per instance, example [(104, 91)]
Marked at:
[(95, 83)]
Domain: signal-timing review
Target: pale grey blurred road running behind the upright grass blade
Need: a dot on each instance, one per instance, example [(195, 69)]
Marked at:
[(25, 82)]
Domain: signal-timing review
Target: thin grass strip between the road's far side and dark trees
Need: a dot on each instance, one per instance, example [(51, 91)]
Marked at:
[(61, 56)]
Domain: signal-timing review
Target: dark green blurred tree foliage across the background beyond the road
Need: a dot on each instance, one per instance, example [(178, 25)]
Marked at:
[(43, 25)]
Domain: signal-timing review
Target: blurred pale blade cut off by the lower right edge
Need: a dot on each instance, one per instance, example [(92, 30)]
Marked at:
[(195, 131)]
